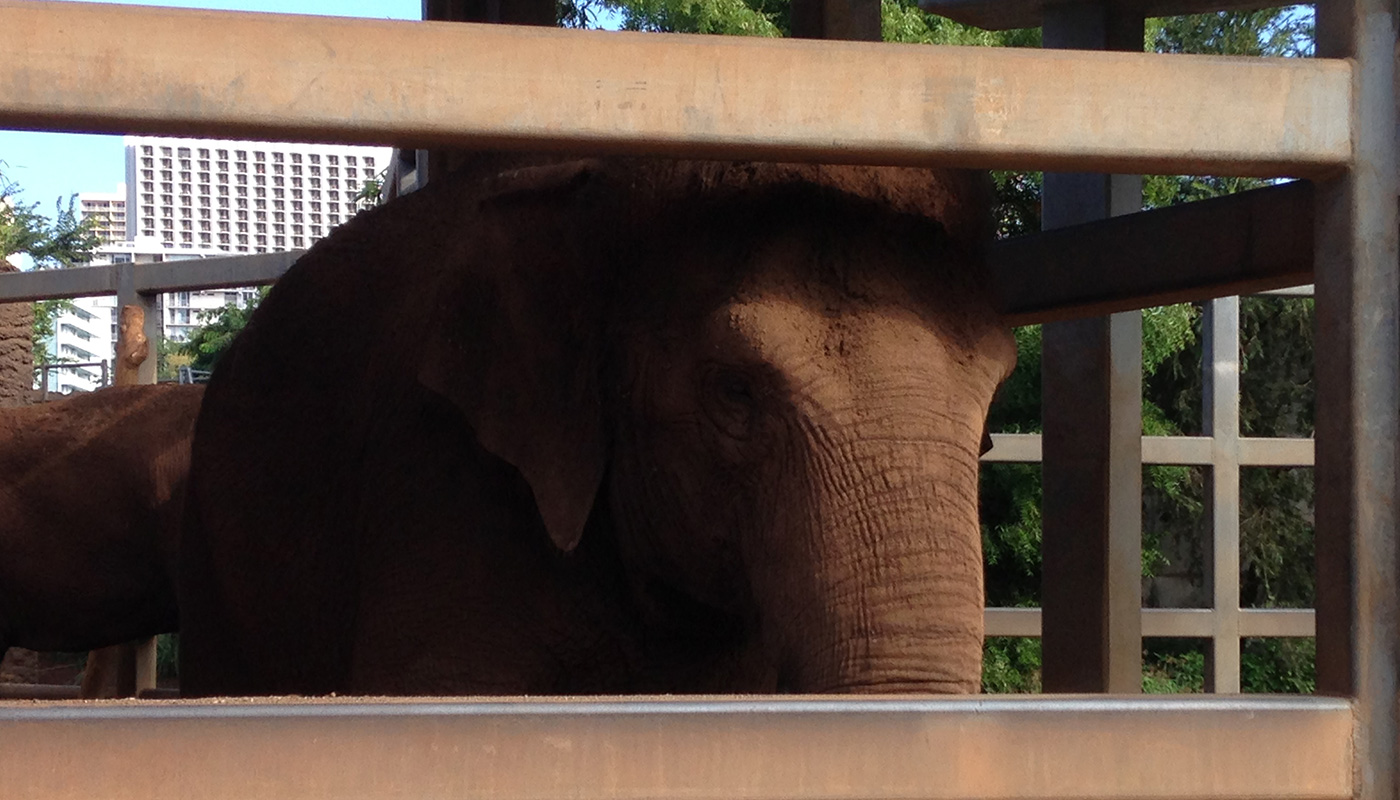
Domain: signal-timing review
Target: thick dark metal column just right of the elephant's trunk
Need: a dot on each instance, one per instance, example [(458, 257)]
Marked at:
[(1093, 413)]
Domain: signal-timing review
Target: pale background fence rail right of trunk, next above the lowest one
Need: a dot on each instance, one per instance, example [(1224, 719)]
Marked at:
[(1177, 450)]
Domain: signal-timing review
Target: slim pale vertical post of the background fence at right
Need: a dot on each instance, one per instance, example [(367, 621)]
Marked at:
[(1221, 417)]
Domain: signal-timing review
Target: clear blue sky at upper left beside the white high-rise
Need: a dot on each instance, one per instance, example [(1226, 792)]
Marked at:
[(48, 166)]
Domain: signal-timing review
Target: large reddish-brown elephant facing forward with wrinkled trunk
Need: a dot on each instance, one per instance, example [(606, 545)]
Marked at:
[(607, 427)]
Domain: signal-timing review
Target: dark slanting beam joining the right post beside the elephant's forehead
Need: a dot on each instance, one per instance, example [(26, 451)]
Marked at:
[(1242, 244)]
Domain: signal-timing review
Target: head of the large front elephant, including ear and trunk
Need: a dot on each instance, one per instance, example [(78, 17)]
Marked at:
[(766, 385)]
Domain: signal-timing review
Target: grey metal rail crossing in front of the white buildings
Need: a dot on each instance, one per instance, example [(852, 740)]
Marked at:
[(185, 275)]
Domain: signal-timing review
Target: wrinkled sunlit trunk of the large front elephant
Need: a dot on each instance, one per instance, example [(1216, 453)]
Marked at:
[(890, 596)]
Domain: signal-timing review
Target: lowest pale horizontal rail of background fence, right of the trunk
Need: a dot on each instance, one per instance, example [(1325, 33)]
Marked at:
[(1172, 623)]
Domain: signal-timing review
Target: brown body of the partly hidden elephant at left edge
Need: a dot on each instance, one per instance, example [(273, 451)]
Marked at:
[(90, 516)]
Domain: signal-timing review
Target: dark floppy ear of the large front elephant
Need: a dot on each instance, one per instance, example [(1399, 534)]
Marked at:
[(517, 345)]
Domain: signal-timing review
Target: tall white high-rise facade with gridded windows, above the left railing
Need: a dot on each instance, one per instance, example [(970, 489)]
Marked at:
[(243, 197)]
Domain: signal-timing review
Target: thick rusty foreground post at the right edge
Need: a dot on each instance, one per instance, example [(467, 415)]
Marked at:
[(1357, 343)]
